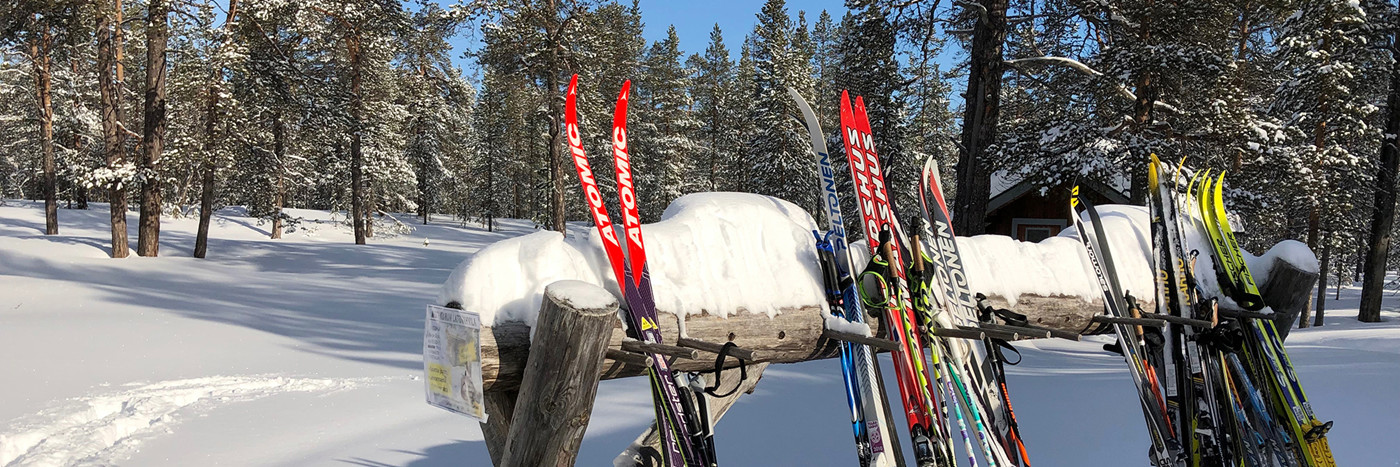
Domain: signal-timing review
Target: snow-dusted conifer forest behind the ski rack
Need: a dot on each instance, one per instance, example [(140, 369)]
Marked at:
[(180, 108)]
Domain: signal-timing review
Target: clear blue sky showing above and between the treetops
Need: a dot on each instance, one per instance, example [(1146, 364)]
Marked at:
[(694, 20)]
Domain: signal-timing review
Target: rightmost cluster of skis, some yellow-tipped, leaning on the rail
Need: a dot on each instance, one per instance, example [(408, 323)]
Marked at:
[(1217, 388)]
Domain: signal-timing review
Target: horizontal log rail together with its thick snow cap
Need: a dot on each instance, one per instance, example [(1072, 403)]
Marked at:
[(743, 268)]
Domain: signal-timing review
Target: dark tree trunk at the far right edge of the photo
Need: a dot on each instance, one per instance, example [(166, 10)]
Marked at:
[(1384, 215)]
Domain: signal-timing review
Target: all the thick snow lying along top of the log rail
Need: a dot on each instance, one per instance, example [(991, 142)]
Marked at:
[(722, 252)]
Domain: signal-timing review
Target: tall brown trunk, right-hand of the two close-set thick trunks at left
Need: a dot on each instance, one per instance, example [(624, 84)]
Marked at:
[(153, 131)]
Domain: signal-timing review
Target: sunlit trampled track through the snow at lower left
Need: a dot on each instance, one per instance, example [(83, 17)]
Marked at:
[(97, 430)]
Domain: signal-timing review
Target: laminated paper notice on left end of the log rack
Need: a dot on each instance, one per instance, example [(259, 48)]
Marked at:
[(453, 361)]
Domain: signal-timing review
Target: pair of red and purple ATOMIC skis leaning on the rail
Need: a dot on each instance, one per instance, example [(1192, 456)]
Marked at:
[(682, 438)]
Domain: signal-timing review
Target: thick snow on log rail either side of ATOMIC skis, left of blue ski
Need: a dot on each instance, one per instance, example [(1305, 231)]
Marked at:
[(710, 254)]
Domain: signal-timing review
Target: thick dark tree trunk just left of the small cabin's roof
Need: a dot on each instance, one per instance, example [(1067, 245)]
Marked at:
[(983, 106)]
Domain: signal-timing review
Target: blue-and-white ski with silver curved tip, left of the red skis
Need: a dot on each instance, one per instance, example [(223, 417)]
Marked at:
[(870, 417)]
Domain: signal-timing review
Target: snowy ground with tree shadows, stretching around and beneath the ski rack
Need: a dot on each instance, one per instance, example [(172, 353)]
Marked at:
[(306, 352)]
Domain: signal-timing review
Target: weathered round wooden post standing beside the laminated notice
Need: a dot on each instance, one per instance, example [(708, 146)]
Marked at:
[(561, 381)]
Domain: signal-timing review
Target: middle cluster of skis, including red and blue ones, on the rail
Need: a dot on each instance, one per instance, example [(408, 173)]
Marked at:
[(922, 297)]
